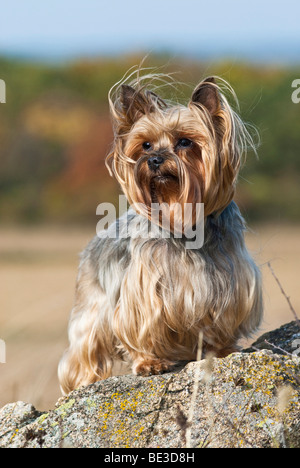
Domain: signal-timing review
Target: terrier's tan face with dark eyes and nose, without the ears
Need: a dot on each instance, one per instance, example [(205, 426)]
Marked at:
[(168, 166)]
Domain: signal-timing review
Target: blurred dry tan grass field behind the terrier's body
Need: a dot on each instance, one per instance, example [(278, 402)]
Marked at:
[(38, 269)]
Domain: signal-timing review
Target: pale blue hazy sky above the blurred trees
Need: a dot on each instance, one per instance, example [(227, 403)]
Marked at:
[(261, 29)]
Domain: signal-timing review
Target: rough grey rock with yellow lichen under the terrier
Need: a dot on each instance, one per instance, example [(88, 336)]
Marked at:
[(239, 403)]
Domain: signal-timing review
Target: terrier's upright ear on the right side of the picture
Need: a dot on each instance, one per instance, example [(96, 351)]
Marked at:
[(207, 94)]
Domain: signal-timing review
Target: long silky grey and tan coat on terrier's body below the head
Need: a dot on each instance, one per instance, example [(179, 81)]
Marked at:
[(151, 297)]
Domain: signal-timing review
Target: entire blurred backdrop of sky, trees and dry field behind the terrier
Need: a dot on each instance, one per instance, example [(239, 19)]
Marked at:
[(59, 60)]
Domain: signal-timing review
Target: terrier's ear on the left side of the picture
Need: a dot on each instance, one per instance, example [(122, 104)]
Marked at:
[(137, 103)]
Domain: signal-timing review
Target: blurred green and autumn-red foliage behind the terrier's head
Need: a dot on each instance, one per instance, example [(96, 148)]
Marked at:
[(55, 133)]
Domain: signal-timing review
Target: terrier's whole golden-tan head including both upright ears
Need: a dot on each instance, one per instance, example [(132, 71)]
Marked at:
[(175, 154)]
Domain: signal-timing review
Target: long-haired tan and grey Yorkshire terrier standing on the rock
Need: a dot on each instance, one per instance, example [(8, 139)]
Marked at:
[(147, 298)]
